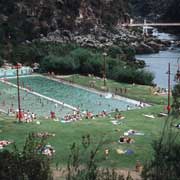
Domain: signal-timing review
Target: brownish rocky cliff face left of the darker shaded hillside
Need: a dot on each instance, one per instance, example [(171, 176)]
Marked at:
[(24, 19)]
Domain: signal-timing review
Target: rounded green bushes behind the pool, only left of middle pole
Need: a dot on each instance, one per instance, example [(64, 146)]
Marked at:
[(78, 61)]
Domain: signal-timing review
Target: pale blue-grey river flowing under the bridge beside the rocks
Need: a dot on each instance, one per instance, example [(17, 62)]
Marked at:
[(158, 62)]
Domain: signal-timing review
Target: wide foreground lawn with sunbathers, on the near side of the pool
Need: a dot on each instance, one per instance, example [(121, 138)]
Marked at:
[(99, 128)]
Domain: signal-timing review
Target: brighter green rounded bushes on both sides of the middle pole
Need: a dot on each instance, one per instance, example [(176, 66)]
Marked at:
[(83, 61)]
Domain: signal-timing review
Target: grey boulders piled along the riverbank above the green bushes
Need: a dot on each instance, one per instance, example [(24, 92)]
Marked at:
[(103, 38)]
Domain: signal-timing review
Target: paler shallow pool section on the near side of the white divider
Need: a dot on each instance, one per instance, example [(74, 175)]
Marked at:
[(35, 104)]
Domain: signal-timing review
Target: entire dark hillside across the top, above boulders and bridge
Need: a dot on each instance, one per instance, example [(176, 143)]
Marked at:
[(22, 20)]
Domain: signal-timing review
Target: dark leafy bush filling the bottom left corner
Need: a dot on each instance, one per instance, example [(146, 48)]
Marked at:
[(26, 164)]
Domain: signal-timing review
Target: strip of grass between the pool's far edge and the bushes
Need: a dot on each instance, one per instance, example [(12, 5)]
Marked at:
[(137, 92)]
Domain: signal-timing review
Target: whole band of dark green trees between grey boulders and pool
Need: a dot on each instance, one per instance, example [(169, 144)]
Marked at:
[(72, 59)]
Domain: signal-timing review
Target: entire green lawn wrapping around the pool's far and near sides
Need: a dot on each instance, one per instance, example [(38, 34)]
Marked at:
[(98, 129)]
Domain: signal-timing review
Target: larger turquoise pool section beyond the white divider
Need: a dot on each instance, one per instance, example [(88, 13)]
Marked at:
[(76, 97)]
